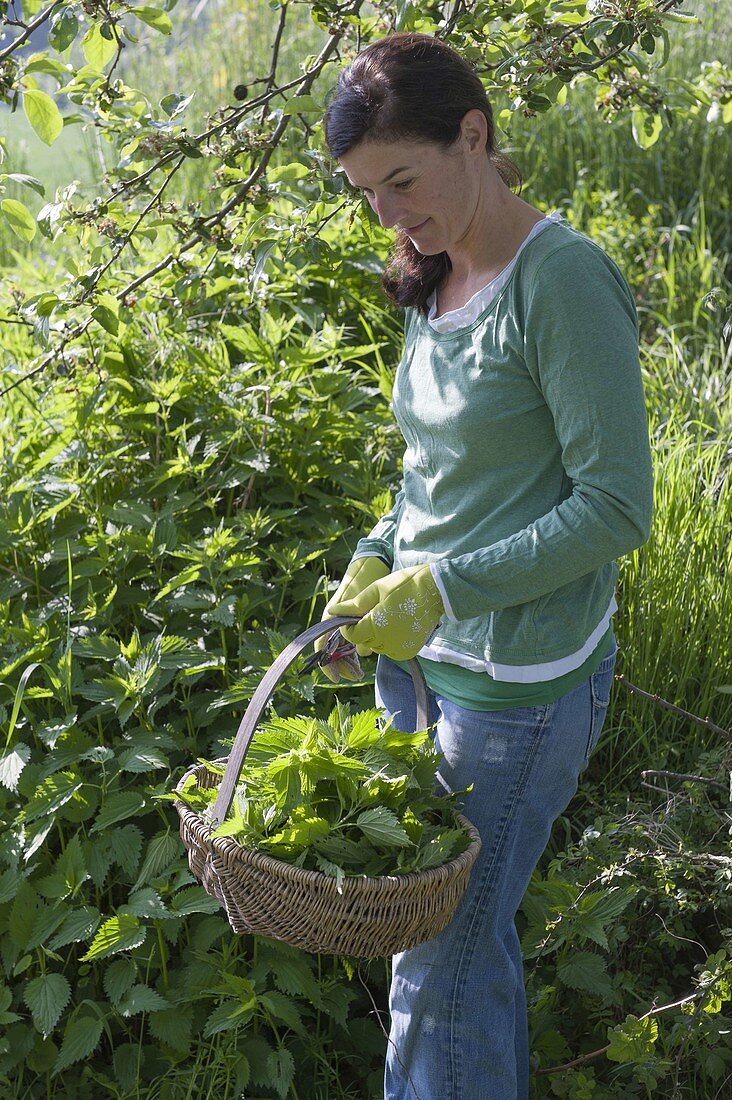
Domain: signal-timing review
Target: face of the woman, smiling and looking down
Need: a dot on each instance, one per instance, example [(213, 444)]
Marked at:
[(429, 191)]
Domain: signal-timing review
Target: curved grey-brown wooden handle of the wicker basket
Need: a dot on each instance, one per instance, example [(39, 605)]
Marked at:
[(265, 694)]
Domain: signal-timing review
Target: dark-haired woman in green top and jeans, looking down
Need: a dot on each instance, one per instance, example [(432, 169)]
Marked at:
[(527, 475)]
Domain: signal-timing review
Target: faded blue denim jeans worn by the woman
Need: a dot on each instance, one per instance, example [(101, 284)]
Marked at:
[(458, 1006)]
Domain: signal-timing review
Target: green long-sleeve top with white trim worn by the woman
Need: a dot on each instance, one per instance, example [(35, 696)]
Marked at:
[(528, 467)]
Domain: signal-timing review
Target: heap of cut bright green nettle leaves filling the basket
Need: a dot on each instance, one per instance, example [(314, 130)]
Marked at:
[(346, 796)]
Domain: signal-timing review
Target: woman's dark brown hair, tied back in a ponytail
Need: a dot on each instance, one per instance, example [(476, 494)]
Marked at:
[(411, 87)]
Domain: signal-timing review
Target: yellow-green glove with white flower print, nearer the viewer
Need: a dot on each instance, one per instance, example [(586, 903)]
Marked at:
[(400, 613)]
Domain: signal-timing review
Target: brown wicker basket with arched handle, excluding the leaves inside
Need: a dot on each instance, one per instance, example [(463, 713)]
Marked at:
[(370, 918)]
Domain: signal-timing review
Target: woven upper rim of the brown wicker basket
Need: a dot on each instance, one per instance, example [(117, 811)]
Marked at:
[(353, 884)]
